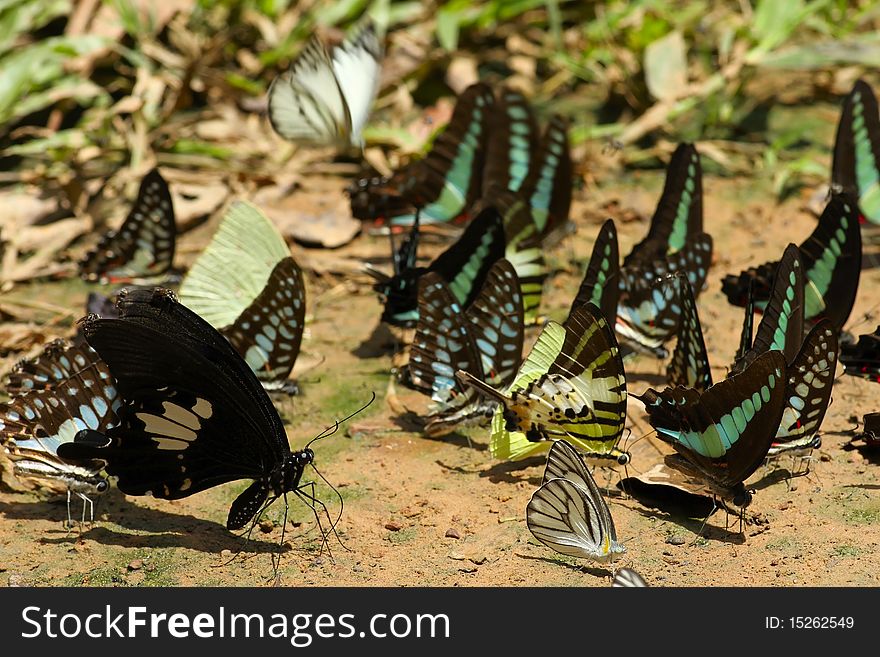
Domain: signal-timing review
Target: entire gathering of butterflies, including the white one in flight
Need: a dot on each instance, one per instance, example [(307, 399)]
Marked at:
[(168, 392)]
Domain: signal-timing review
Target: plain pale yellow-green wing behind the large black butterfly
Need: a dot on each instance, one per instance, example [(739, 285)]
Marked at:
[(220, 293)]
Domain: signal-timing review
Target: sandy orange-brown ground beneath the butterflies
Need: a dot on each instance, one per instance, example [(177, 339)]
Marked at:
[(441, 512)]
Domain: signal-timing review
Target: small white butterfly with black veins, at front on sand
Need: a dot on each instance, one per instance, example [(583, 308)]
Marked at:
[(568, 513)]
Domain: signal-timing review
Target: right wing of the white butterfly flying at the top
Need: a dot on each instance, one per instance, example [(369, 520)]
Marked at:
[(357, 64)]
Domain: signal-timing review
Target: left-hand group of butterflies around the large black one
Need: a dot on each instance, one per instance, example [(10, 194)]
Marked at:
[(169, 393)]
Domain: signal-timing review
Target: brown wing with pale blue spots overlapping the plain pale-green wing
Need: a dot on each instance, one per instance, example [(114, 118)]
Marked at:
[(268, 333)]
